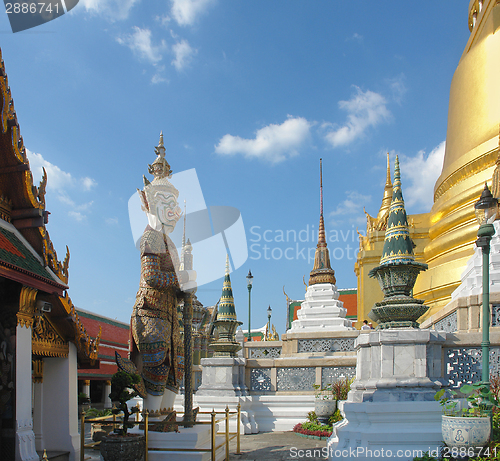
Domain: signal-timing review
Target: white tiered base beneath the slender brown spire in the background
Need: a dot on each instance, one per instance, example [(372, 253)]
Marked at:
[(321, 310)]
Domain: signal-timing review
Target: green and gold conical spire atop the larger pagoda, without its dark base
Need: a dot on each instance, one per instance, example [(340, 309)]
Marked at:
[(398, 245)]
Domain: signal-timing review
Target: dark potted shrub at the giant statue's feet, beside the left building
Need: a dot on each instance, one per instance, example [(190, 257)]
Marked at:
[(119, 445)]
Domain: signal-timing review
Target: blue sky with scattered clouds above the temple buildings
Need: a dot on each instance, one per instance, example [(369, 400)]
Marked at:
[(249, 93)]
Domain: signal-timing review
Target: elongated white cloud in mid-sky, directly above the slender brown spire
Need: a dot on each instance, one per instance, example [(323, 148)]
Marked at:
[(273, 143)]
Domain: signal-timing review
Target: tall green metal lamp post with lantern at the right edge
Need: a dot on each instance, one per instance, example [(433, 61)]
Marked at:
[(486, 211)]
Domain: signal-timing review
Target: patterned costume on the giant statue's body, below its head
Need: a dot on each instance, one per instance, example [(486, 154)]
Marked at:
[(155, 326)]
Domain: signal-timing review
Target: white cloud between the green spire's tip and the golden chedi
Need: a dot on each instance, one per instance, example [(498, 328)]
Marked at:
[(419, 175)]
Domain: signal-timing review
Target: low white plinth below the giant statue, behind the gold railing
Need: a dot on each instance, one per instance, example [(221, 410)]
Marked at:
[(197, 437)]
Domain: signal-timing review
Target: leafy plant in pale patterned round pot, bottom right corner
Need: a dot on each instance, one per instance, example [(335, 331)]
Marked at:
[(470, 427)]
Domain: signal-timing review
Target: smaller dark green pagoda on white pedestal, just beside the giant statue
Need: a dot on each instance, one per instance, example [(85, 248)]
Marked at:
[(226, 323)]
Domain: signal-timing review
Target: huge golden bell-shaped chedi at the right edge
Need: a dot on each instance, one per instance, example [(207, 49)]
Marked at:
[(472, 148)]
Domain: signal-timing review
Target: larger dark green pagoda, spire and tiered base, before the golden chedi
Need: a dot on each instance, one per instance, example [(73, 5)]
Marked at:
[(398, 270)]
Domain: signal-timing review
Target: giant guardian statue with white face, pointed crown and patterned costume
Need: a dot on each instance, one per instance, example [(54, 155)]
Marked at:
[(156, 349)]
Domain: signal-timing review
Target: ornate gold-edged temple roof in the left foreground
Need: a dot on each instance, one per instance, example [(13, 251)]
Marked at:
[(27, 255)]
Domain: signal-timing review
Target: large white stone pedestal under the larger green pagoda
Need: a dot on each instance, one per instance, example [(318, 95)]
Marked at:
[(391, 404)]
